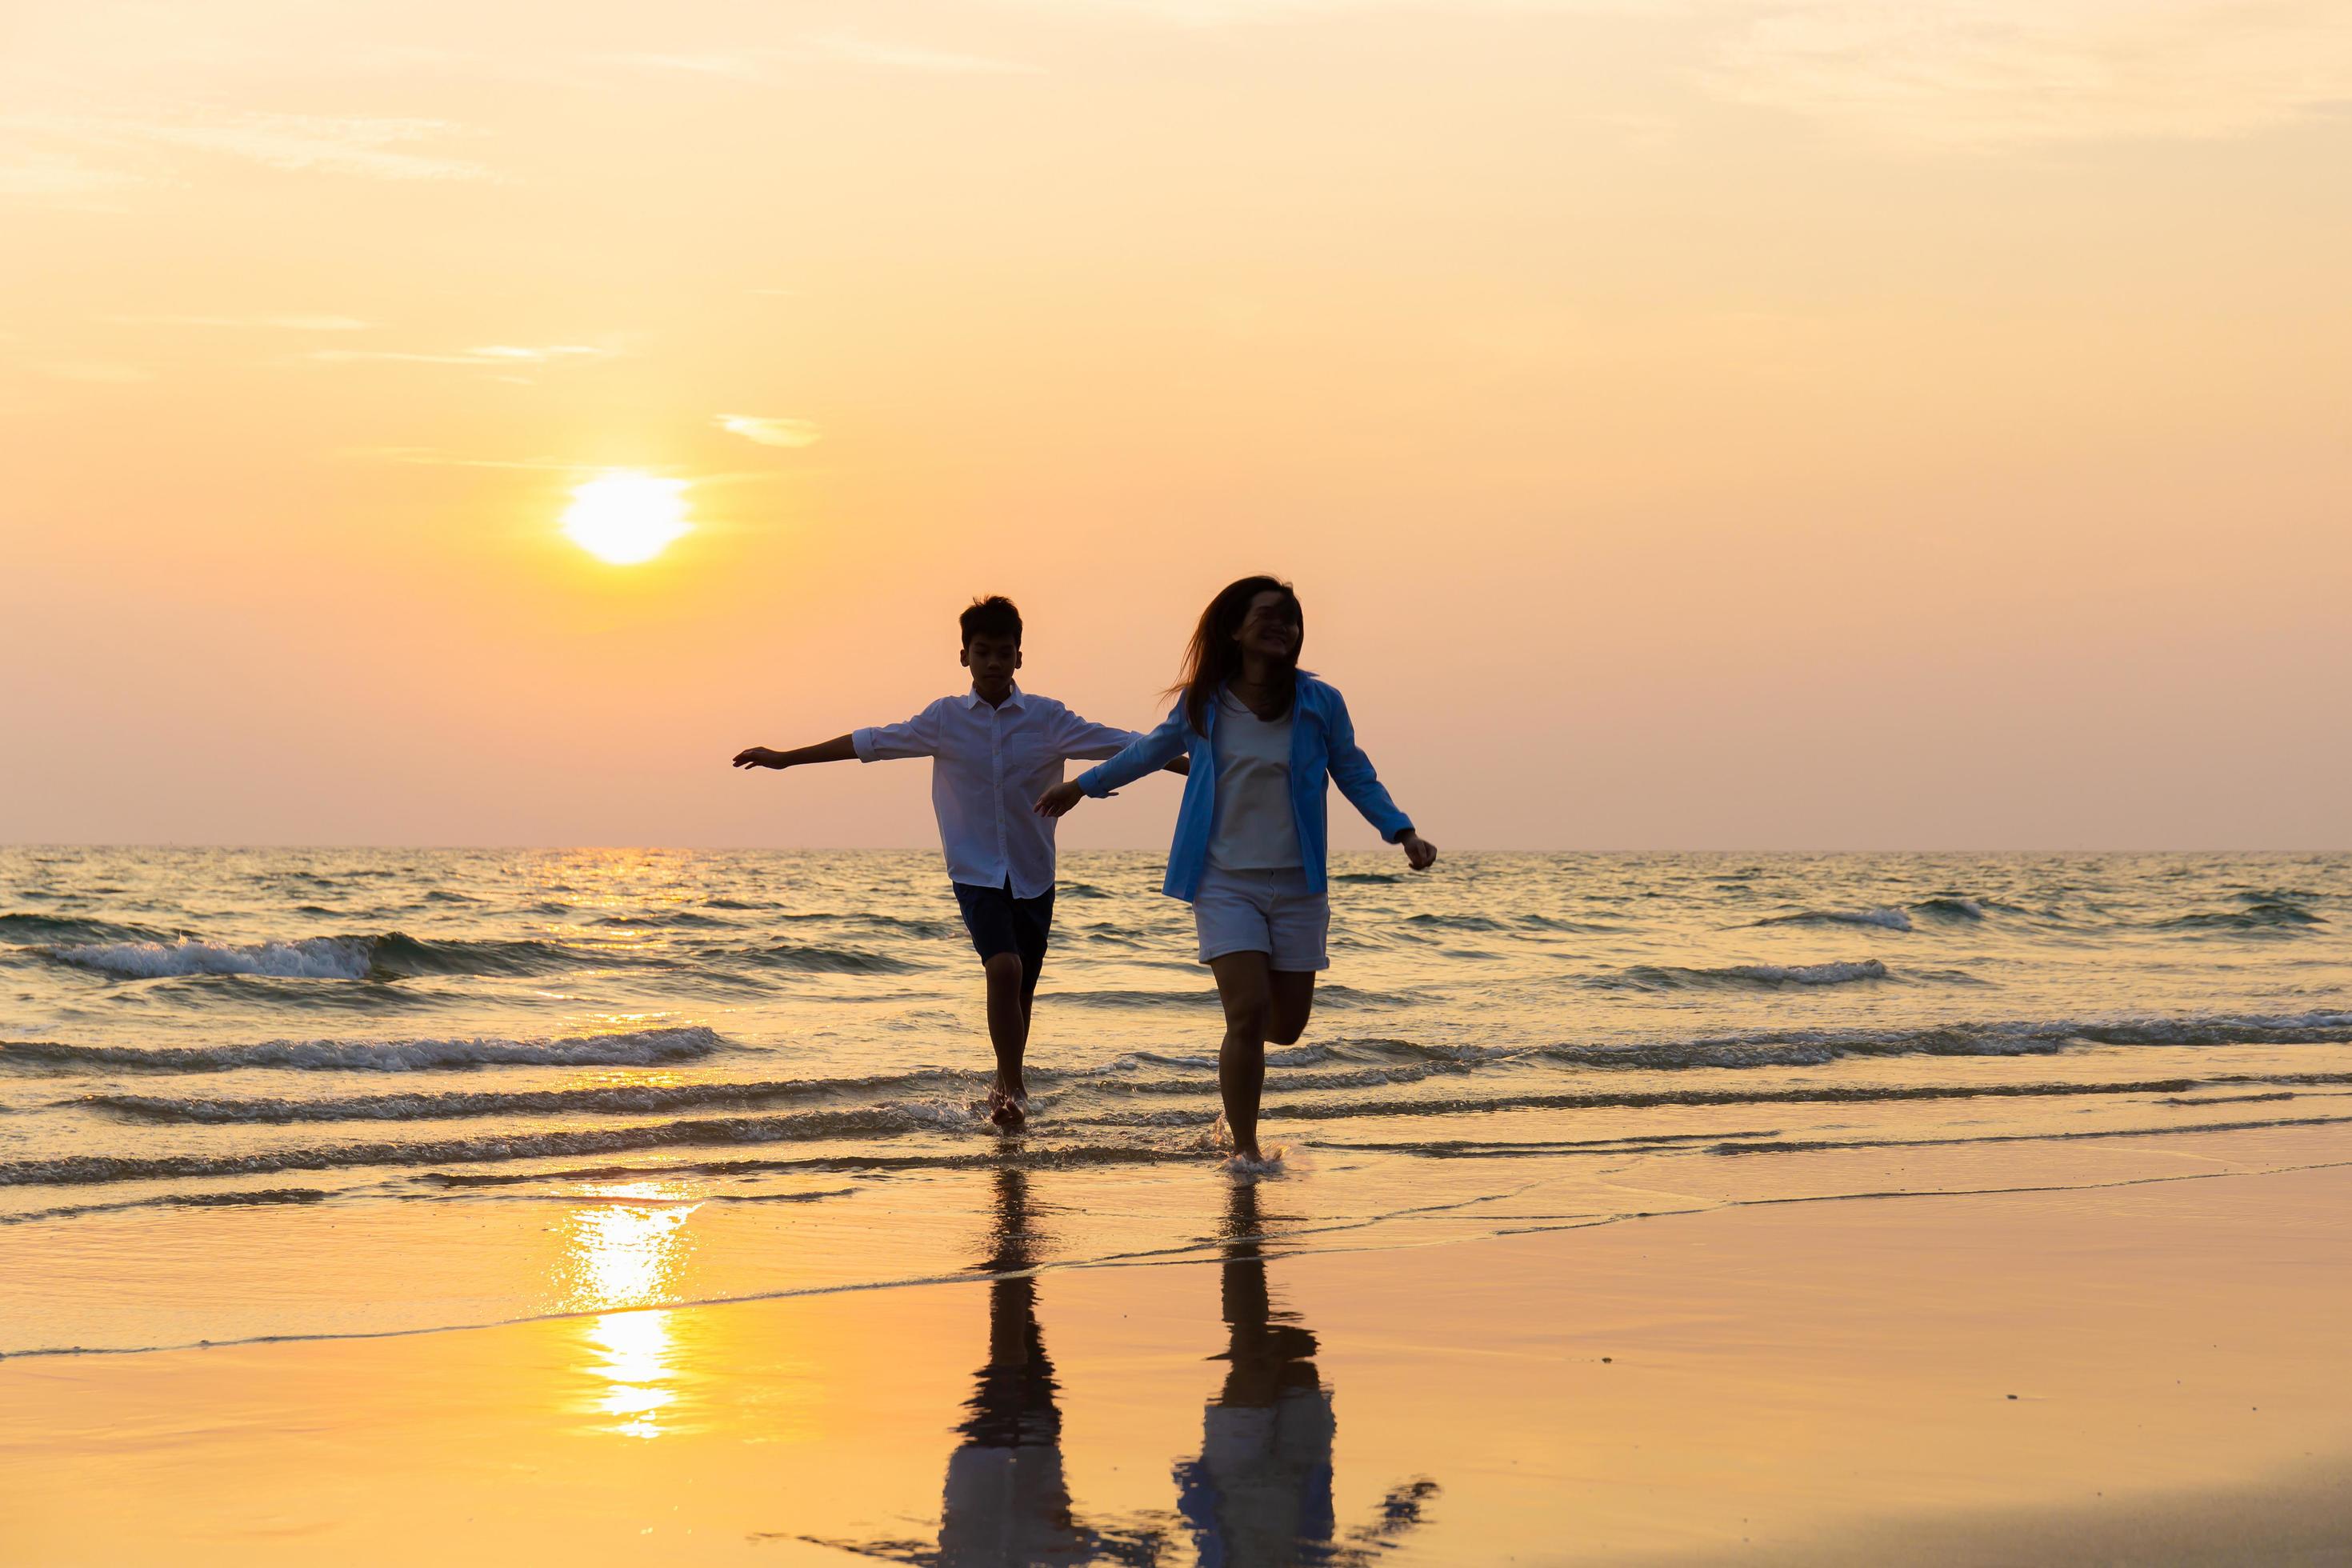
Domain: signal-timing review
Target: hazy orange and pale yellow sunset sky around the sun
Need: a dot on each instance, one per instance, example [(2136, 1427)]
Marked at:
[(1690, 424)]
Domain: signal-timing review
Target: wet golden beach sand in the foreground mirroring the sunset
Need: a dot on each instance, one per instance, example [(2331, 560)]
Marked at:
[(2149, 1372)]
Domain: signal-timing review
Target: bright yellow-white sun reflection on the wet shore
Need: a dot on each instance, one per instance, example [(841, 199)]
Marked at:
[(622, 1254)]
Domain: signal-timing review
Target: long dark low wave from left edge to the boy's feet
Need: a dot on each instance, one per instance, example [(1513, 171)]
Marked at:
[(735, 1132)]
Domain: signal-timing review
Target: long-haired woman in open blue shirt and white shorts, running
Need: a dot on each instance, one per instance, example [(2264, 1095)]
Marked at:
[(1250, 840)]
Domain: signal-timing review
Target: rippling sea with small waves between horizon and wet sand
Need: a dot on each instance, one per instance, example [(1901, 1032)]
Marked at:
[(258, 1094)]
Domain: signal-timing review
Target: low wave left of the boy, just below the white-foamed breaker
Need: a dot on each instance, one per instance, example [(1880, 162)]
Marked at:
[(629, 1050)]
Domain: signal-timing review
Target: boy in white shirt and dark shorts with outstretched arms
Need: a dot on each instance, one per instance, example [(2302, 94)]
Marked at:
[(994, 751)]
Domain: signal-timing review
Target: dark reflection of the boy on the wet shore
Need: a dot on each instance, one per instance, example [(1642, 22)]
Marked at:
[(1008, 1501)]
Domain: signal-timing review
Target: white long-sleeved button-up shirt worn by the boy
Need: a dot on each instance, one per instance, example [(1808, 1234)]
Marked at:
[(989, 765)]
